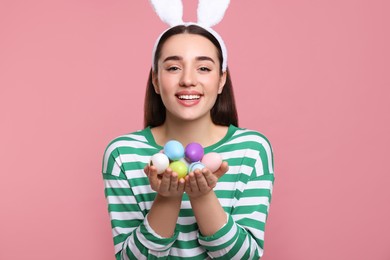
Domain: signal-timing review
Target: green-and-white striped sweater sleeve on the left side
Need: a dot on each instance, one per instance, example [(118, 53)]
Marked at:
[(132, 234)]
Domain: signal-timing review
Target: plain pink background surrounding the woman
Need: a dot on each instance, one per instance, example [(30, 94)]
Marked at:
[(313, 76)]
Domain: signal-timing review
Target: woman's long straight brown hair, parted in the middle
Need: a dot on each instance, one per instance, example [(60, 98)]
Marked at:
[(224, 110)]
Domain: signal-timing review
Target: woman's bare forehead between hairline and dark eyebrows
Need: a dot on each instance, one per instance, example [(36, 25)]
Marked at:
[(188, 44)]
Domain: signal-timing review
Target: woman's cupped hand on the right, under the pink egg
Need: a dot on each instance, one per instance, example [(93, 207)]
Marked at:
[(201, 182)]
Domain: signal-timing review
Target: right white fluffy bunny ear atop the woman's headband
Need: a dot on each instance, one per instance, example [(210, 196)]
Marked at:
[(211, 12)]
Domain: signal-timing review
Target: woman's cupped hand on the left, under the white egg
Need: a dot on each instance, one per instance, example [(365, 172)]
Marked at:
[(166, 184)]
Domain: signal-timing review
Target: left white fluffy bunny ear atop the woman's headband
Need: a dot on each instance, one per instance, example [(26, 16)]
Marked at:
[(169, 11)]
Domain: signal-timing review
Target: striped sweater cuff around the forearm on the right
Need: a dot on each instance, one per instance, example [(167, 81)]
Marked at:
[(224, 238)]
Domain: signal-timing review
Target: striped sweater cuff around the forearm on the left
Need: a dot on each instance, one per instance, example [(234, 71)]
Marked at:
[(153, 241)]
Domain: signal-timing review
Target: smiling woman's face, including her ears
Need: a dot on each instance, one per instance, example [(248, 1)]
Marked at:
[(188, 78)]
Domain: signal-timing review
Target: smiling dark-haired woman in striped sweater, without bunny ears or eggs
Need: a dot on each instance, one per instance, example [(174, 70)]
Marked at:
[(207, 214)]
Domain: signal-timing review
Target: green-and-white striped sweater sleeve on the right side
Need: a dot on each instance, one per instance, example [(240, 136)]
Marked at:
[(242, 237)]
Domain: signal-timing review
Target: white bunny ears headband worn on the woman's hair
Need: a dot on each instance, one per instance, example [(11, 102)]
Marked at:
[(210, 13)]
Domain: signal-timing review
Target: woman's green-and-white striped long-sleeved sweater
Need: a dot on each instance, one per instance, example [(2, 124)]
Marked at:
[(244, 193)]
